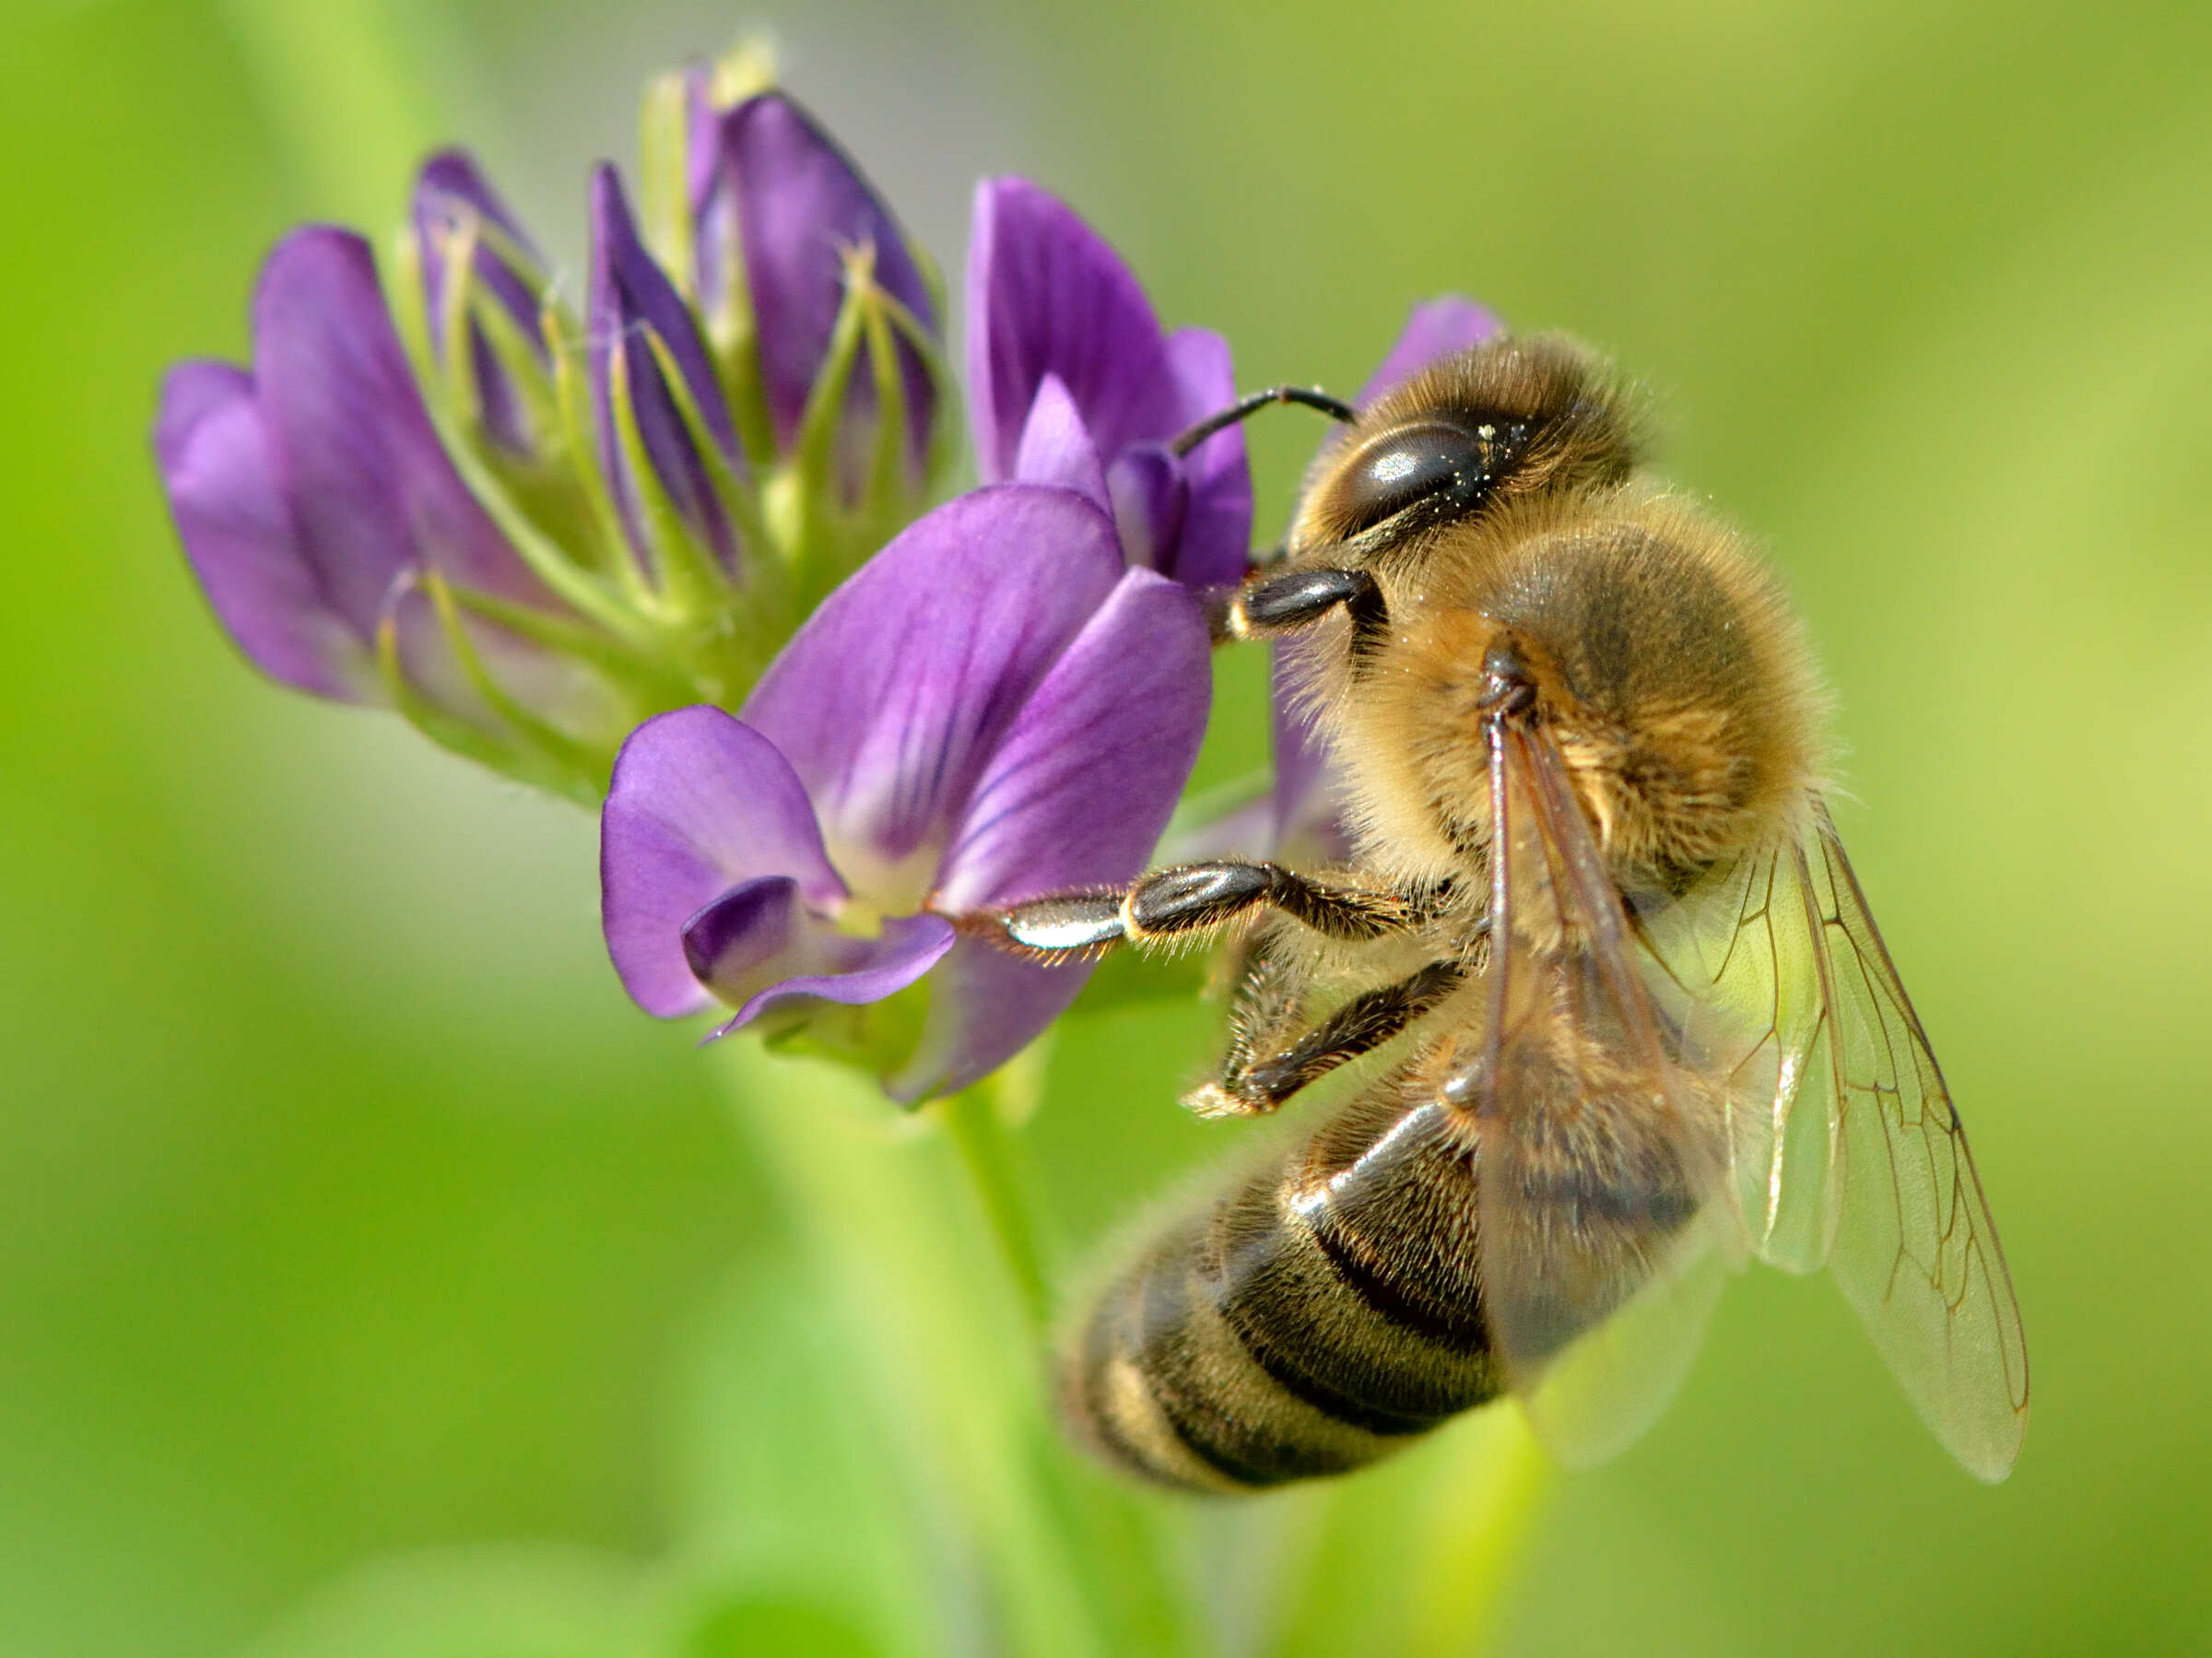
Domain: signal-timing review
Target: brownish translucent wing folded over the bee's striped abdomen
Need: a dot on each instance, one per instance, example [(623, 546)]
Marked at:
[(1600, 1157)]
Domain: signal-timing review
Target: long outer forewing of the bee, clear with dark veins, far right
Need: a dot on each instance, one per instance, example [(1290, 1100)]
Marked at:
[(1914, 1248)]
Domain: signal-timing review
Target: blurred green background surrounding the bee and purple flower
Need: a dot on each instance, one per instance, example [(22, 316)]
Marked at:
[(351, 1213)]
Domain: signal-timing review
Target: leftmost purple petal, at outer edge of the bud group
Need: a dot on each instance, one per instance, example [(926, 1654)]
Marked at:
[(238, 532)]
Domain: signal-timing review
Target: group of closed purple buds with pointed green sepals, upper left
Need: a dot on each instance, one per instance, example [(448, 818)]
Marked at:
[(532, 529)]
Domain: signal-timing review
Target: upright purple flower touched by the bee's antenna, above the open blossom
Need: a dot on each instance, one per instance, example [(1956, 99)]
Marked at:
[(1072, 381)]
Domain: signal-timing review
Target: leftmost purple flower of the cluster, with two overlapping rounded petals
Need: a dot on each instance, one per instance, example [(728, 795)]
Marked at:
[(313, 494)]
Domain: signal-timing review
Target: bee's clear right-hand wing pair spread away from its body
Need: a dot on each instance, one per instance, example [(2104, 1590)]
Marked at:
[(1841, 1137)]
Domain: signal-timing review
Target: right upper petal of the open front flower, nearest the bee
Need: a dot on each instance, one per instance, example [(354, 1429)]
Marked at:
[(1085, 779)]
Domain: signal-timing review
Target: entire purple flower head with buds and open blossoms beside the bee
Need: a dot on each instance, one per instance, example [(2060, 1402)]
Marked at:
[(634, 556)]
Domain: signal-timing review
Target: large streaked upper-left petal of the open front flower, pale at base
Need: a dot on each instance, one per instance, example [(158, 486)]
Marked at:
[(897, 691)]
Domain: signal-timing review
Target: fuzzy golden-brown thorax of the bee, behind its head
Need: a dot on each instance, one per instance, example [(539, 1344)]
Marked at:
[(1667, 669)]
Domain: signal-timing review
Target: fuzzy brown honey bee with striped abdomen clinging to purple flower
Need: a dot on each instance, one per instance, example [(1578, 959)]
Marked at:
[(1623, 1005)]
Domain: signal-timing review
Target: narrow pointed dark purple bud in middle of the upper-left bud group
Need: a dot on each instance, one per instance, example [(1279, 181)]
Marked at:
[(632, 304)]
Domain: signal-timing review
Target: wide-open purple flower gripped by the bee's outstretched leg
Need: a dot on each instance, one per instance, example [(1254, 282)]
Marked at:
[(992, 709)]
